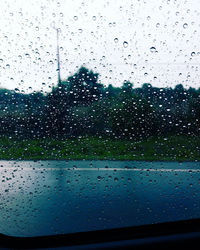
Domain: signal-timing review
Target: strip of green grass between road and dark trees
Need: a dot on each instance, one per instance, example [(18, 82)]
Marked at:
[(173, 148)]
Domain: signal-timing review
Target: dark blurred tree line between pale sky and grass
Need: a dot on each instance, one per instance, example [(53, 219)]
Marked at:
[(81, 106)]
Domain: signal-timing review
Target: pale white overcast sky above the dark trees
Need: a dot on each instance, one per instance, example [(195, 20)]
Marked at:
[(154, 41)]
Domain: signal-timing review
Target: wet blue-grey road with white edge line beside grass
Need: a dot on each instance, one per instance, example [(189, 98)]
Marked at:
[(53, 197)]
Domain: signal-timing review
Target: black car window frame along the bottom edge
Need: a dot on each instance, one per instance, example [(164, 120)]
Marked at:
[(156, 236)]
